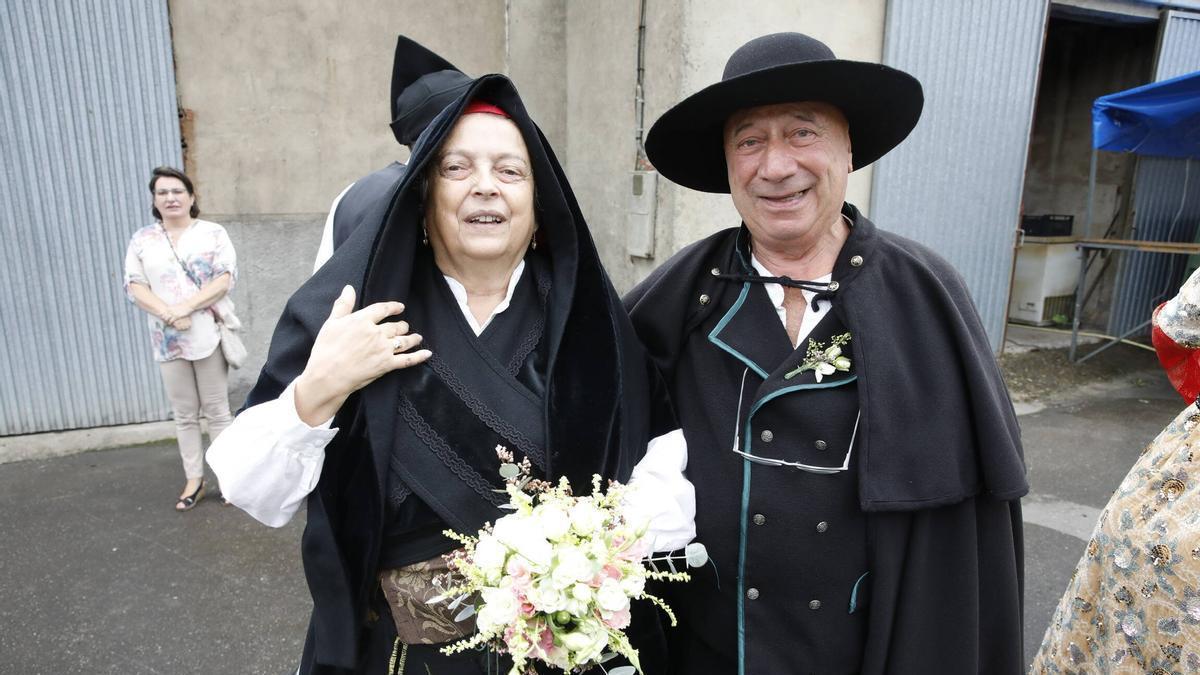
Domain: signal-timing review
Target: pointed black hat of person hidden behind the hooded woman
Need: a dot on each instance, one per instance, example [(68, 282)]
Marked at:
[(423, 85)]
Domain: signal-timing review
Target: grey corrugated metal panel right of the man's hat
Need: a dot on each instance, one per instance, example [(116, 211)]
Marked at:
[(956, 184)]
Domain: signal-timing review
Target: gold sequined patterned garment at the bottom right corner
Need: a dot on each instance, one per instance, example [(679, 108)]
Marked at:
[(1133, 605)]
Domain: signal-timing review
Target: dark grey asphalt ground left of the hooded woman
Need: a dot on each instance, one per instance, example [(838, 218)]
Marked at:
[(100, 576)]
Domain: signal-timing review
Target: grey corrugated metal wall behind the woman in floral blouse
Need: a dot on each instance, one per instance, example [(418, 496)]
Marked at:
[(88, 110)]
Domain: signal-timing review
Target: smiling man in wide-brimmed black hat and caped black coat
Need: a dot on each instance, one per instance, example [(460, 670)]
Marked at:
[(856, 457)]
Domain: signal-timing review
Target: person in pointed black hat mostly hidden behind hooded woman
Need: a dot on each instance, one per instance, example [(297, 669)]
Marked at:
[(423, 85)]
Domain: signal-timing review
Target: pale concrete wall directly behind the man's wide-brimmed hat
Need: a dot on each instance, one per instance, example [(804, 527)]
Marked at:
[(687, 47)]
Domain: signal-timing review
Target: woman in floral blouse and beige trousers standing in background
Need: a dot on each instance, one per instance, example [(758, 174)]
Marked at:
[(179, 271)]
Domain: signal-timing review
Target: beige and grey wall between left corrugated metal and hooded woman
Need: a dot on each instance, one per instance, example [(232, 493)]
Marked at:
[(289, 104)]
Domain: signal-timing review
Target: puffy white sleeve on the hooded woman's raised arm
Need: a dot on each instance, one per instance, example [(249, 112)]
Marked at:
[(268, 461)]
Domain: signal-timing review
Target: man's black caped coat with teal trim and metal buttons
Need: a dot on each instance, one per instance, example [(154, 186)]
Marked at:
[(899, 552)]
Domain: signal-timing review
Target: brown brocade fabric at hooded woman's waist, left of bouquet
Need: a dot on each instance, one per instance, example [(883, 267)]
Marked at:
[(418, 623)]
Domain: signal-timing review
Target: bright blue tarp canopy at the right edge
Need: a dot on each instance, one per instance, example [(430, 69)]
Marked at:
[(1160, 120)]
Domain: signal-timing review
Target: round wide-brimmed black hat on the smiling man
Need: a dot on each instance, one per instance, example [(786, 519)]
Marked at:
[(883, 105)]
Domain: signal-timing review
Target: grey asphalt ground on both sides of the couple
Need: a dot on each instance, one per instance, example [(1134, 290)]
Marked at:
[(99, 576)]
